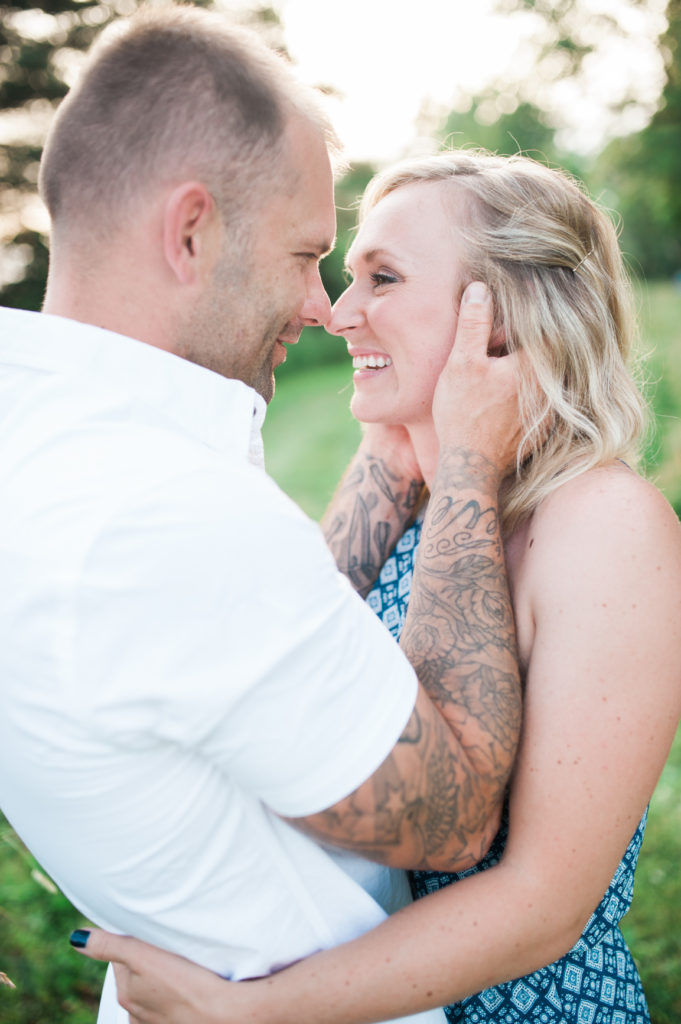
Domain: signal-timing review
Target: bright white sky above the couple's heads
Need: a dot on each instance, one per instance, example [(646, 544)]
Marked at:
[(390, 60)]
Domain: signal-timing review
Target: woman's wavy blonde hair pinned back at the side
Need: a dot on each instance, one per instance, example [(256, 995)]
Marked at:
[(551, 260)]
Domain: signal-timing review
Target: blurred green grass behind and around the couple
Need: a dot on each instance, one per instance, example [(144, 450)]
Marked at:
[(310, 437)]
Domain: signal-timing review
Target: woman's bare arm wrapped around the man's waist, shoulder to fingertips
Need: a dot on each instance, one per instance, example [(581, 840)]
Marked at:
[(603, 704)]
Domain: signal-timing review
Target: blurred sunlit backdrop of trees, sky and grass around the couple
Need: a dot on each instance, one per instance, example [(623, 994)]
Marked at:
[(591, 86)]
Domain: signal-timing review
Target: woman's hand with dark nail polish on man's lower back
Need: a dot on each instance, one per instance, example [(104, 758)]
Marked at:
[(158, 988)]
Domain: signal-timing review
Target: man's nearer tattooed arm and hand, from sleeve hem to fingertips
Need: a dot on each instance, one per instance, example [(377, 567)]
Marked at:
[(436, 800)]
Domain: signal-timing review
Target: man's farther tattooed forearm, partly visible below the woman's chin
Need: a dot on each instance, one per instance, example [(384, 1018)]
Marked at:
[(375, 501)]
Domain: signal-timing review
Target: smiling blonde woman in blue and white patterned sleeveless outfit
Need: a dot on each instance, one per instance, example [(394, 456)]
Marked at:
[(594, 564)]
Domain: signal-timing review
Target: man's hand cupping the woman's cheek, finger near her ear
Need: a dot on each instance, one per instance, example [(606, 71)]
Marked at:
[(476, 407)]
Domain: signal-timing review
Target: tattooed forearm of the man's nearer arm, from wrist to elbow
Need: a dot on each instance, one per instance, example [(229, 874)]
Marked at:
[(460, 633)]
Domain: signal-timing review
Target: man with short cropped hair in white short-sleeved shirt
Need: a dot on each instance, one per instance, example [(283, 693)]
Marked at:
[(189, 685)]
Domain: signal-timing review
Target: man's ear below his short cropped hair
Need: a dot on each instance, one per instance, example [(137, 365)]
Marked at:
[(191, 232)]
